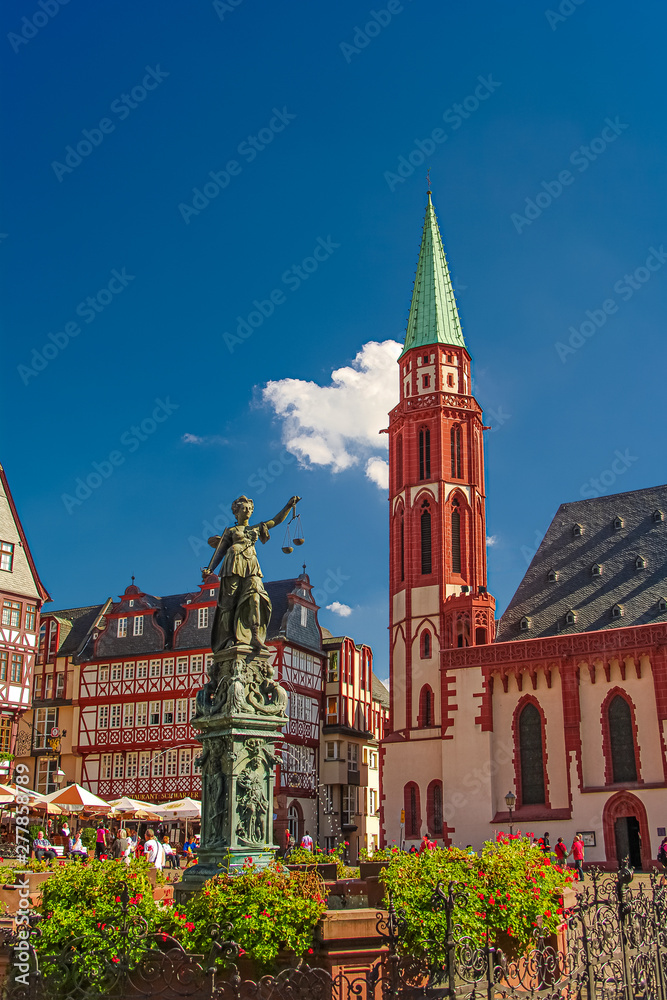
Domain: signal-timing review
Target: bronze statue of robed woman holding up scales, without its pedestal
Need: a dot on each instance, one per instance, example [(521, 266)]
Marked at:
[(244, 608)]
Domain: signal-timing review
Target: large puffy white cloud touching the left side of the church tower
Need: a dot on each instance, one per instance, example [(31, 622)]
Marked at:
[(338, 425)]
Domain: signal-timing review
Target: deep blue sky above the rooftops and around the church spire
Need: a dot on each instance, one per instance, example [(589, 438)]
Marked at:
[(303, 112)]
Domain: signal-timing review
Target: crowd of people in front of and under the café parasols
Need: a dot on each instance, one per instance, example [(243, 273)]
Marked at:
[(154, 845)]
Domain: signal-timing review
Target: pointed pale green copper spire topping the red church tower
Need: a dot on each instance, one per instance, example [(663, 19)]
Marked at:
[(434, 318)]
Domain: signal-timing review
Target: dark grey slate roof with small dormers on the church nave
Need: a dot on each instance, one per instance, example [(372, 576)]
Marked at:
[(571, 557)]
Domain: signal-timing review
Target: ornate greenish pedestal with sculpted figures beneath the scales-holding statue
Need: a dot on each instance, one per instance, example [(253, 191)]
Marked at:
[(240, 714)]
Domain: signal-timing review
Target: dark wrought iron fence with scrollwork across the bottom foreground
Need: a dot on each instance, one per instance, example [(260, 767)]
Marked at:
[(612, 946)]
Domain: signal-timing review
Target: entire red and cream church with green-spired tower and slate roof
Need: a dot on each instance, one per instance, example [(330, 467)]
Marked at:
[(560, 707)]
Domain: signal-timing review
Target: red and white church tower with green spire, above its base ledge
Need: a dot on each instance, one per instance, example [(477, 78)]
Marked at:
[(438, 592)]
